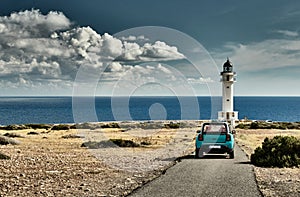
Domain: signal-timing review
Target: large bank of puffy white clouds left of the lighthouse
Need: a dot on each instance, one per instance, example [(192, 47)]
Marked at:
[(39, 50)]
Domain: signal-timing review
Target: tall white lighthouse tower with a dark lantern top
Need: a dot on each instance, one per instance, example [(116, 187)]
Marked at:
[(227, 79)]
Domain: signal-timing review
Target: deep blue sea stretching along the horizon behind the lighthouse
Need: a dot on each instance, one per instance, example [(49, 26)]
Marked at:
[(28, 110)]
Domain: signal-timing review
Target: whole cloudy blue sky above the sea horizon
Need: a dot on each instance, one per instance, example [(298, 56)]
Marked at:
[(136, 47)]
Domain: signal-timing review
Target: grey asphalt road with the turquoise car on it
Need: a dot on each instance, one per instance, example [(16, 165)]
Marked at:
[(209, 176)]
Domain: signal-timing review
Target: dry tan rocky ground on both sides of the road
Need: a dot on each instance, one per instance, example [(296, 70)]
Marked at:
[(49, 162)]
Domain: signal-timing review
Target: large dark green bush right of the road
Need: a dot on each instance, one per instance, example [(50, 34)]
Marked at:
[(281, 151)]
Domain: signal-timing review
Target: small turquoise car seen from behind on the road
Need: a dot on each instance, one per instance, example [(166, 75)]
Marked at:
[(214, 138)]
